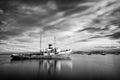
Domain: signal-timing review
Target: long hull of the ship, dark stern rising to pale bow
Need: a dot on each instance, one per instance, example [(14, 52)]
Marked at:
[(62, 55)]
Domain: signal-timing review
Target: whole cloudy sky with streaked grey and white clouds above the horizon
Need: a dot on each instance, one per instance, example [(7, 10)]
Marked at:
[(77, 24)]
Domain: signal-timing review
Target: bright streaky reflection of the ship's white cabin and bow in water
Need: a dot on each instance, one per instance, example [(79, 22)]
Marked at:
[(53, 67)]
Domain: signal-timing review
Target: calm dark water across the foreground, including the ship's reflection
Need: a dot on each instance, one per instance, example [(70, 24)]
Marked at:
[(82, 67)]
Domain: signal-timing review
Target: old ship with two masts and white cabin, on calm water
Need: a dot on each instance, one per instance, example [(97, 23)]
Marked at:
[(49, 53)]
